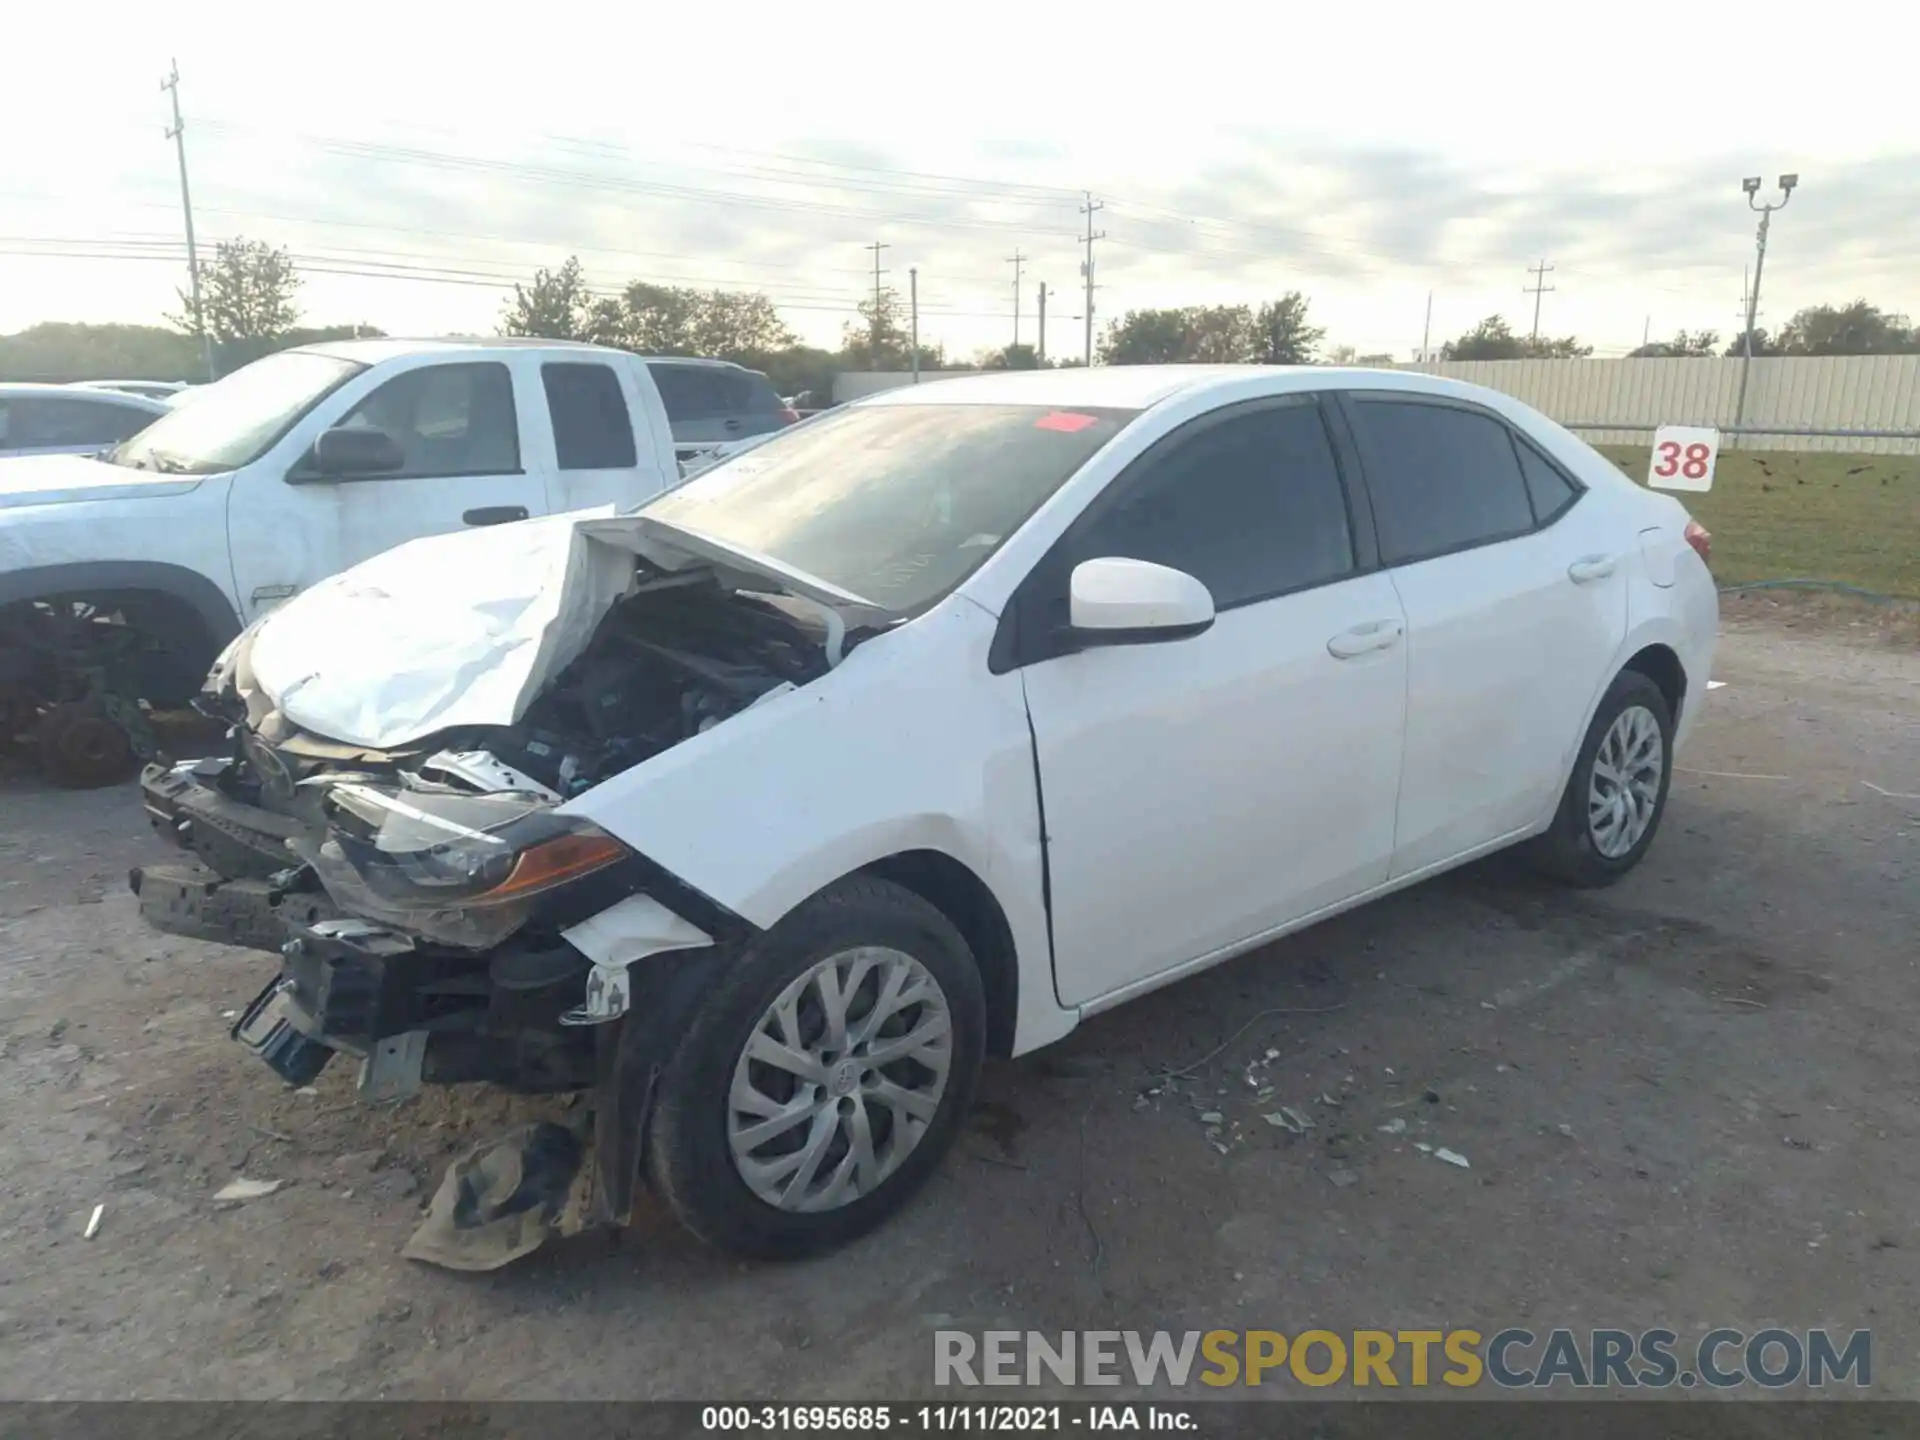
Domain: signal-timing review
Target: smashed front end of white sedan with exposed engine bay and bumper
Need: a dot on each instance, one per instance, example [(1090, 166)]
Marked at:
[(437, 913)]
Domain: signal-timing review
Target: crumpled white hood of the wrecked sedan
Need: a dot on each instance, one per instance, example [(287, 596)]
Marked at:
[(468, 629)]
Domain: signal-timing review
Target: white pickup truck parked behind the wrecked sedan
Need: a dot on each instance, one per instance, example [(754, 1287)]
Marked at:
[(126, 573)]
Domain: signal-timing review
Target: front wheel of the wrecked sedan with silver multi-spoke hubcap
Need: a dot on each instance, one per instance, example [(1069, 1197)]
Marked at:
[(823, 1078)]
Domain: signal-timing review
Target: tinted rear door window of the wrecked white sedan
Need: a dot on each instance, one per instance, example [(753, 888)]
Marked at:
[(1443, 479)]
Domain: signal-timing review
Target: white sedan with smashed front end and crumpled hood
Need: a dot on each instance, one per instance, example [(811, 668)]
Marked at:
[(923, 732)]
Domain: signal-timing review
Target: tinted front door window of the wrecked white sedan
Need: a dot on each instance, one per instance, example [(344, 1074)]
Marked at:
[(1251, 506)]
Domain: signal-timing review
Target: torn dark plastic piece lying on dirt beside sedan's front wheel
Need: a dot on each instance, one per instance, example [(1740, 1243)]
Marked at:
[(504, 1199)]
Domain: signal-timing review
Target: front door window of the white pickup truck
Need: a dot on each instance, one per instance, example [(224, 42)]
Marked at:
[(446, 420)]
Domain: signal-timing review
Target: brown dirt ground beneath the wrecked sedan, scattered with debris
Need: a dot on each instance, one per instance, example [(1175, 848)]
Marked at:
[(1687, 1101)]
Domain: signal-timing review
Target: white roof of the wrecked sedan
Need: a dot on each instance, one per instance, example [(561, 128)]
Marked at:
[(1143, 387)]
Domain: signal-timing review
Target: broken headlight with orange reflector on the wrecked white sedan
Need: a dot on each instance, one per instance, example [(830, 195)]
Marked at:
[(454, 869)]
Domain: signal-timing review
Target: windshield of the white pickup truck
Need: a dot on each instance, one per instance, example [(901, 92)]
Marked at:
[(235, 421)]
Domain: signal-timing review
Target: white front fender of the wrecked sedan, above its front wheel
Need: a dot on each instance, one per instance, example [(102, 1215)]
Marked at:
[(800, 792)]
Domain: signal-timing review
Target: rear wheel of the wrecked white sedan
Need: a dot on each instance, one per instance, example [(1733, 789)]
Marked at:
[(1618, 790)]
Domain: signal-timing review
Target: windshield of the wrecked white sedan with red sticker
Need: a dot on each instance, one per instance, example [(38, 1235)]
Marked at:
[(896, 504)]
